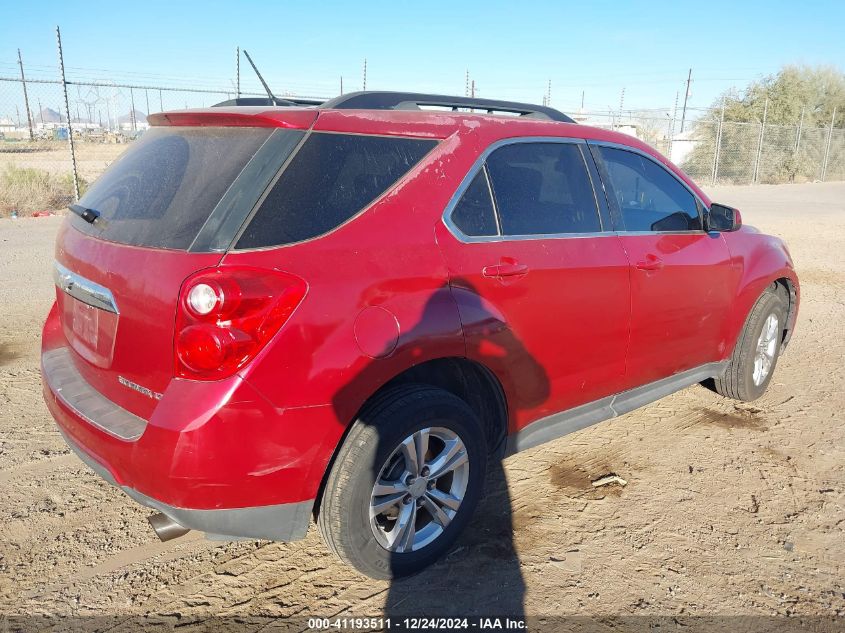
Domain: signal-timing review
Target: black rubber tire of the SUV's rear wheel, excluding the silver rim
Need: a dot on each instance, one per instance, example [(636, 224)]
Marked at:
[(344, 513)]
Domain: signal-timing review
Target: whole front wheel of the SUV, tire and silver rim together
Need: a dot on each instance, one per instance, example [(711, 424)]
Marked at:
[(756, 353)]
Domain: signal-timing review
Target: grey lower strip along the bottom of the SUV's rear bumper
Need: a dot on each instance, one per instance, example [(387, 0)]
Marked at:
[(282, 522)]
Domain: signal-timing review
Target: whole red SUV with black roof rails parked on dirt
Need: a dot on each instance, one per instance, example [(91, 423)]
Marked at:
[(268, 314)]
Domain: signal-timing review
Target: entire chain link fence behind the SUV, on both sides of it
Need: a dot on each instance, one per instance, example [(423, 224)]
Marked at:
[(37, 167)]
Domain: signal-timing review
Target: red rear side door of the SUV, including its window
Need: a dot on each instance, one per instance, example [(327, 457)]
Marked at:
[(541, 289)]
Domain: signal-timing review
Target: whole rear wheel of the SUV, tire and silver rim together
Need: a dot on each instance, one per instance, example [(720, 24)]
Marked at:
[(405, 482)]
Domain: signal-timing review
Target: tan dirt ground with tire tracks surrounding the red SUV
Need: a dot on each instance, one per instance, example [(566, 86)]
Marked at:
[(731, 509)]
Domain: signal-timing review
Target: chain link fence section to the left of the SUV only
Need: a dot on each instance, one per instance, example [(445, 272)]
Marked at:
[(36, 166)]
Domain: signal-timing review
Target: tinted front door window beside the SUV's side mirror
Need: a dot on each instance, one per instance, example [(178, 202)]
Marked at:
[(649, 197)]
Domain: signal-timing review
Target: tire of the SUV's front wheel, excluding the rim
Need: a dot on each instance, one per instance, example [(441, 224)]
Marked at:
[(738, 380)]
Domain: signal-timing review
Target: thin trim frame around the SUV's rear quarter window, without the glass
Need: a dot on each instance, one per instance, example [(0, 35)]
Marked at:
[(254, 211)]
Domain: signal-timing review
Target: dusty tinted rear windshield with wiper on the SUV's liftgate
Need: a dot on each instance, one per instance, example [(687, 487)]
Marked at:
[(164, 187)]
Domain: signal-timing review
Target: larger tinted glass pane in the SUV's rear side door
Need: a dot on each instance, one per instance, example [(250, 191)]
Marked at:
[(543, 188)]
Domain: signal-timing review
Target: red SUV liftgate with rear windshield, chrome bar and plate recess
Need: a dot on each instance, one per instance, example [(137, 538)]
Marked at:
[(164, 209)]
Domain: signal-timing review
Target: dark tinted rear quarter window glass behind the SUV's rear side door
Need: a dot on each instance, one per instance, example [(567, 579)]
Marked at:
[(329, 180)]
